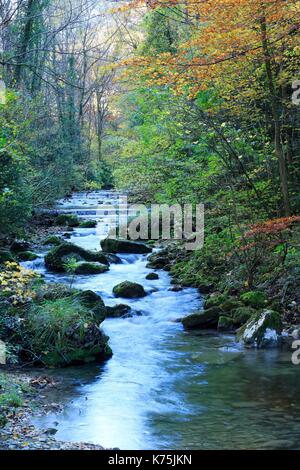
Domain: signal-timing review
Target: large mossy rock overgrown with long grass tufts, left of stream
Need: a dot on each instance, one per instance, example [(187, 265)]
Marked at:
[(65, 331)]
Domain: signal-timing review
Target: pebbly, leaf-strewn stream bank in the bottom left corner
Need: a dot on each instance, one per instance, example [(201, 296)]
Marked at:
[(27, 395)]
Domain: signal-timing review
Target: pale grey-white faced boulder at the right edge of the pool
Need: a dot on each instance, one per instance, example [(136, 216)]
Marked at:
[(262, 331)]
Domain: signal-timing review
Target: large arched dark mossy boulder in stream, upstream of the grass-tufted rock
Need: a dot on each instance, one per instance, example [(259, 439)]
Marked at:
[(57, 258)]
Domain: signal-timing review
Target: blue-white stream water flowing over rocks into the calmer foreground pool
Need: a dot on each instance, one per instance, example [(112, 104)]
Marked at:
[(165, 388)]
